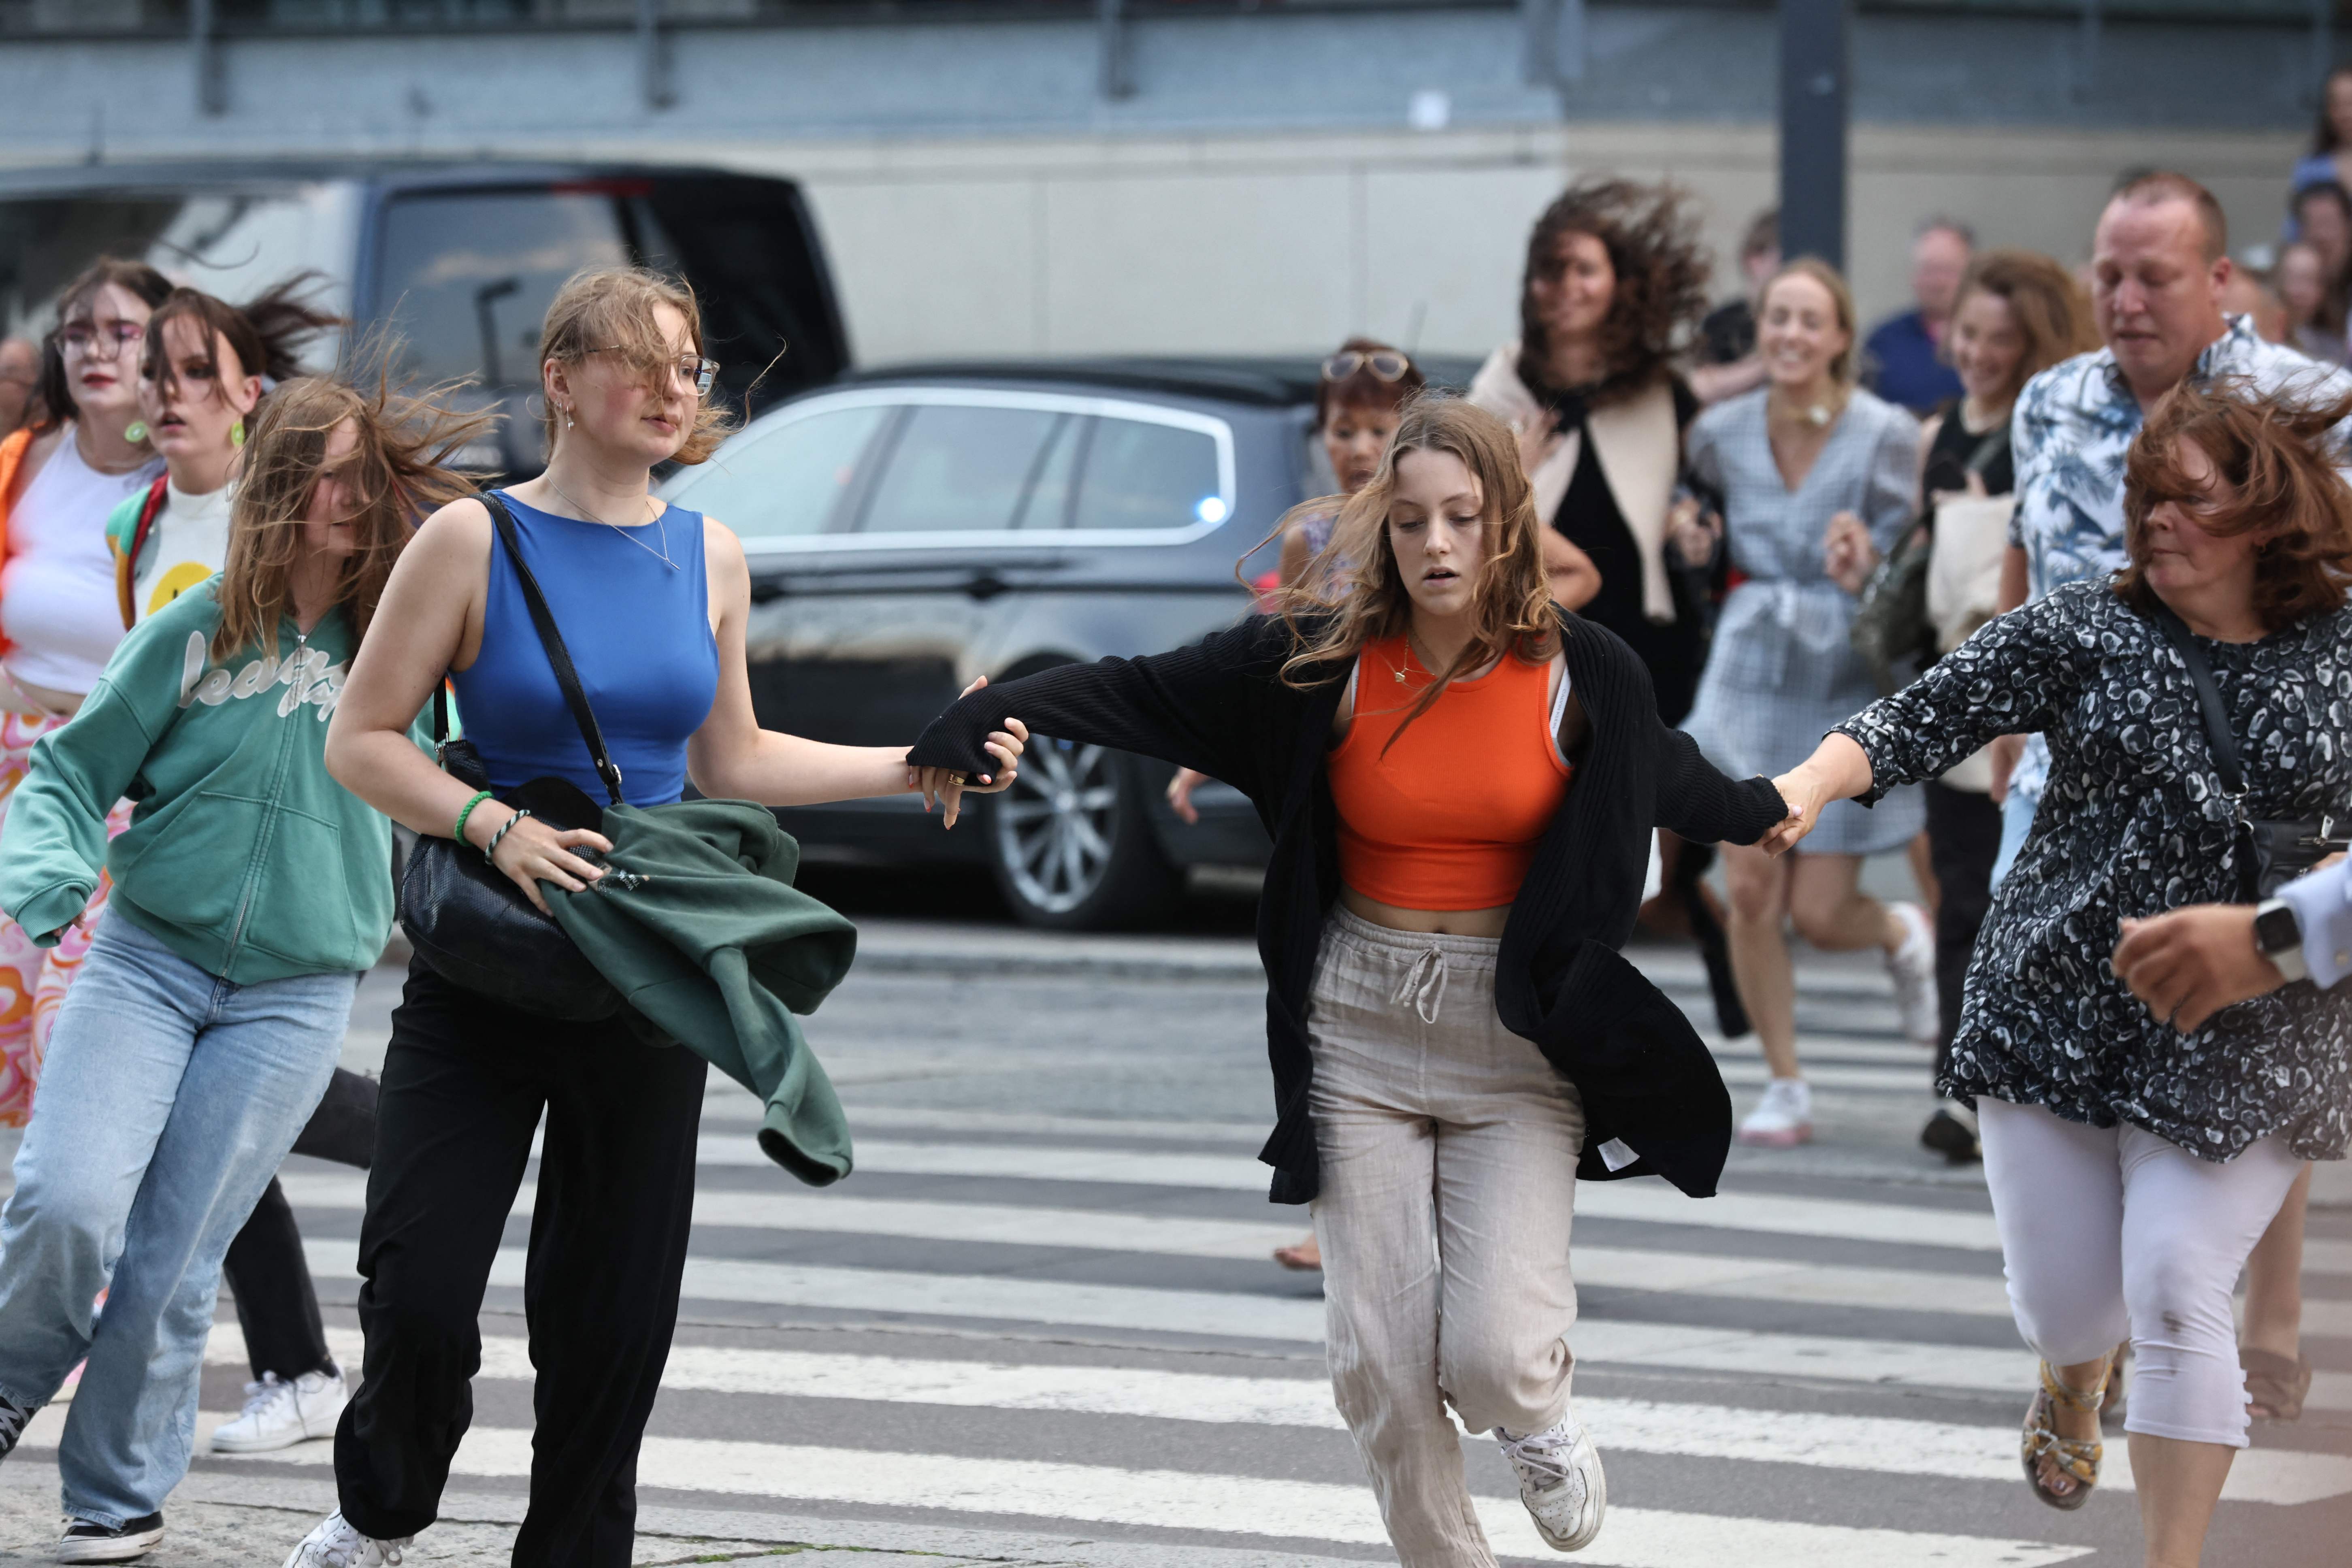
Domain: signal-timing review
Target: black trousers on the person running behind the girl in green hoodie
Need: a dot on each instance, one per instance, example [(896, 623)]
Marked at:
[(267, 1268)]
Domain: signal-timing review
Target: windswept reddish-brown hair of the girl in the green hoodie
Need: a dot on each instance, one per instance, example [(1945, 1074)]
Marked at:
[(401, 471)]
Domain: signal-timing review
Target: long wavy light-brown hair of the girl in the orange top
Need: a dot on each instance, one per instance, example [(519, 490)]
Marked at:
[(1356, 594)]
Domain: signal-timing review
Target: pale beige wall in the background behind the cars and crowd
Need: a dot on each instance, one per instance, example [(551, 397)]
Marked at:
[(1285, 243)]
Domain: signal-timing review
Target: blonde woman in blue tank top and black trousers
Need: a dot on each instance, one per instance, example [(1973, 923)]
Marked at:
[(653, 605)]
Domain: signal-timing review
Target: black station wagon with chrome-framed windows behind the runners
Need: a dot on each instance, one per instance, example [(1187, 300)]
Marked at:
[(918, 528)]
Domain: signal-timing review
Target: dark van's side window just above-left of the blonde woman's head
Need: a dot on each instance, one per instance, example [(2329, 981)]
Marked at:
[(469, 276)]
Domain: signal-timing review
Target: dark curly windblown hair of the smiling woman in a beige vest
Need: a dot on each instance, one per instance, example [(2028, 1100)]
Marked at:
[(1662, 279)]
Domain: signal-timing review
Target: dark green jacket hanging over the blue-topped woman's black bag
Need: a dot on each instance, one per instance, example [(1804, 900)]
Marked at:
[(700, 927)]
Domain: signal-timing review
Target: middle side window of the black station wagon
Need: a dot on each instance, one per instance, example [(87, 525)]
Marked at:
[(961, 469)]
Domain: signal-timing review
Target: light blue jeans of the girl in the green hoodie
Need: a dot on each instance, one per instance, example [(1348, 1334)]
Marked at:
[(166, 1106)]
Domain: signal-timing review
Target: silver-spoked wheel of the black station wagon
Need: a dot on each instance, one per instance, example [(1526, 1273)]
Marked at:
[(1071, 843)]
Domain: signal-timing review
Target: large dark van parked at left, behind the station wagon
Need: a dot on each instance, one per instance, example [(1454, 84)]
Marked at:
[(455, 260)]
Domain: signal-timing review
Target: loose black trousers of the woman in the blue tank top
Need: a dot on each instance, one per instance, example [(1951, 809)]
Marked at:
[(465, 1085)]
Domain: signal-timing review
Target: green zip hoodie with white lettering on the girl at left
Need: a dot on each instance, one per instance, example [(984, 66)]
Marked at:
[(243, 855)]
